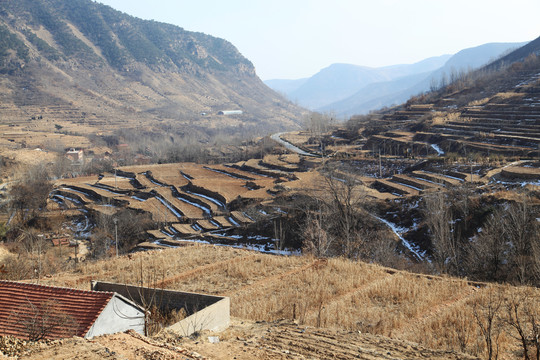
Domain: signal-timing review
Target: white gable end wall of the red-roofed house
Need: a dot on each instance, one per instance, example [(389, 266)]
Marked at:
[(119, 315)]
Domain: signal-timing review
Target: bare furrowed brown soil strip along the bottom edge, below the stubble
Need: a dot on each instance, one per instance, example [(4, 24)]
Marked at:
[(243, 340)]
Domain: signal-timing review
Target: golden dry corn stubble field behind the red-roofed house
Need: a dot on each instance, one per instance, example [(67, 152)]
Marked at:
[(436, 312)]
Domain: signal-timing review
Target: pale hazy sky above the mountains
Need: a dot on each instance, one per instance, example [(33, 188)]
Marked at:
[(291, 39)]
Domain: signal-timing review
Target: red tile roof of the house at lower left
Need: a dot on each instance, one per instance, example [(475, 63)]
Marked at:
[(61, 311)]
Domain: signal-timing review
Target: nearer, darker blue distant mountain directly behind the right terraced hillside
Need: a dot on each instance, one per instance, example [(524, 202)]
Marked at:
[(377, 95)]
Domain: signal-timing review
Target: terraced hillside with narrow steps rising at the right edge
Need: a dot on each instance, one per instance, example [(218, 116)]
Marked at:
[(507, 123)]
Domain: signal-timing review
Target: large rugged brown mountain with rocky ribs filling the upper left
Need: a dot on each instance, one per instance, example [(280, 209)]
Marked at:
[(81, 59)]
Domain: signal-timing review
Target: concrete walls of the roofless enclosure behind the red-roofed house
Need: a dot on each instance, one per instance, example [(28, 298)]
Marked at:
[(205, 312)]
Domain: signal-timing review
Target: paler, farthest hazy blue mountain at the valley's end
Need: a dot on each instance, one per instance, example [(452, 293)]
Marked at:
[(339, 81)]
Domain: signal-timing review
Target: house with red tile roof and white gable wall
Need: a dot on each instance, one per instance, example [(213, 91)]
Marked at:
[(30, 311)]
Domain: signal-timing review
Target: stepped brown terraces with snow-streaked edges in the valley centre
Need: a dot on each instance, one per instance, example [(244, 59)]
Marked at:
[(186, 200)]
